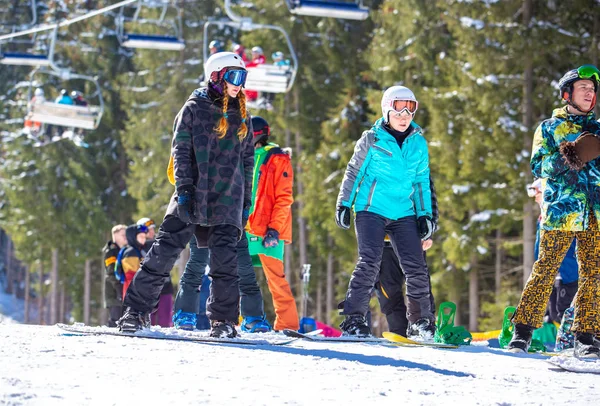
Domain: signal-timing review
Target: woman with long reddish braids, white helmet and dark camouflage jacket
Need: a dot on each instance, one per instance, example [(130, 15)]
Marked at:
[(212, 159)]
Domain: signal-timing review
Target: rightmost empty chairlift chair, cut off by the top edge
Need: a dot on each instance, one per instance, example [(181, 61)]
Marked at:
[(329, 8)]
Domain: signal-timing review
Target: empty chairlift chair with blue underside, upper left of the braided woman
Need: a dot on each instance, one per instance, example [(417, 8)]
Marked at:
[(152, 41)]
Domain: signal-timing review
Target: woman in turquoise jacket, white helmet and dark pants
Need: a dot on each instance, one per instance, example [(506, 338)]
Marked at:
[(387, 184)]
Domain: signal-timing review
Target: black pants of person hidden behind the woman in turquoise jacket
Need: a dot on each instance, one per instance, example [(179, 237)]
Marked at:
[(389, 289)]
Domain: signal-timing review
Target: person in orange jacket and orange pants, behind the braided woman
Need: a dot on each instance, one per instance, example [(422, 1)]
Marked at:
[(269, 226)]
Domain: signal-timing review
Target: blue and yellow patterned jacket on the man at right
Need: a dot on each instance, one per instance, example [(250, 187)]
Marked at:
[(569, 196)]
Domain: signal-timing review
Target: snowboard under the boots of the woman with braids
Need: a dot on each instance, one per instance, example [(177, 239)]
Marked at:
[(157, 333)]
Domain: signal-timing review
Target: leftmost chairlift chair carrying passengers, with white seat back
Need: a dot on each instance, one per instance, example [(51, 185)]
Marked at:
[(48, 112)]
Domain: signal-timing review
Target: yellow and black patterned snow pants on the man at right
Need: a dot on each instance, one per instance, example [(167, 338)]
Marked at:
[(554, 245)]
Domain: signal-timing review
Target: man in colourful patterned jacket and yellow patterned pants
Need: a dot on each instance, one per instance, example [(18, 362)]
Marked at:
[(565, 148)]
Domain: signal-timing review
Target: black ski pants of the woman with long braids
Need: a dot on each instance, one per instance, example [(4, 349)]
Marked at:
[(223, 303)]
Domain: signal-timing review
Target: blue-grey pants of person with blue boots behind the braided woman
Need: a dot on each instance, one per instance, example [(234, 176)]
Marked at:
[(188, 297)]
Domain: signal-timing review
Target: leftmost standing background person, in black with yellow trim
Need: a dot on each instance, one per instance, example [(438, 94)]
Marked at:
[(113, 290)]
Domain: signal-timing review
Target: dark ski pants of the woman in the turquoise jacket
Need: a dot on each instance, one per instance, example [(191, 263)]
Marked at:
[(371, 229)]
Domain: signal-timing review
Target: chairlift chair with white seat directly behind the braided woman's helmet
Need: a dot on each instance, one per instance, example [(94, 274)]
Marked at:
[(265, 78)]
